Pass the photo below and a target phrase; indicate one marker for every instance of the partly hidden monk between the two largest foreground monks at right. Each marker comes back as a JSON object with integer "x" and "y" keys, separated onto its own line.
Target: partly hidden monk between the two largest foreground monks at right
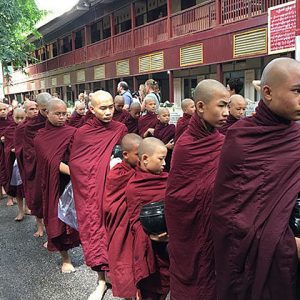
{"x": 237, "y": 108}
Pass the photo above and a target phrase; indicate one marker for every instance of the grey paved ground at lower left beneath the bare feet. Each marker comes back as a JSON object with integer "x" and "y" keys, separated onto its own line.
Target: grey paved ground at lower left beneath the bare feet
{"x": 29, "y": 272}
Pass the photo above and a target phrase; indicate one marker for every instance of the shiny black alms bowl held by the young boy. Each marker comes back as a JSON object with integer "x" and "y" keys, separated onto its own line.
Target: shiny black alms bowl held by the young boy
{"x": 152, "y": 218}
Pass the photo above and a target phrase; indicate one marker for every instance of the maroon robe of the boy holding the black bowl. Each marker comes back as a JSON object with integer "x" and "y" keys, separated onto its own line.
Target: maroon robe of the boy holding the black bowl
{"x": 151, "y": 261}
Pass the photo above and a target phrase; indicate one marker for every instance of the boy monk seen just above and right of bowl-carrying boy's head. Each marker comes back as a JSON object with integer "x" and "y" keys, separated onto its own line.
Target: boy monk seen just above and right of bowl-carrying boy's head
{"x": 165, "y": 132}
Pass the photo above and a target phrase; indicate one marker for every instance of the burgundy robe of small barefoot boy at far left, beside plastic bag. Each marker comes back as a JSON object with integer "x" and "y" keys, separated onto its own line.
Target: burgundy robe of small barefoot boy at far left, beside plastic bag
{"x": 10, "y": 157}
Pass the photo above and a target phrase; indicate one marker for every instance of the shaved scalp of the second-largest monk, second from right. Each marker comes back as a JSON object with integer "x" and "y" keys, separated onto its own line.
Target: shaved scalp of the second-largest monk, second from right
{"x": 207, "y": 89}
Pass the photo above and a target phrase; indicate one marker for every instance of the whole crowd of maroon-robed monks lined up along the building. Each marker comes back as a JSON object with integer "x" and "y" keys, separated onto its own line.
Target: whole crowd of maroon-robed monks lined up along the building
{"x": 228, "y": 184}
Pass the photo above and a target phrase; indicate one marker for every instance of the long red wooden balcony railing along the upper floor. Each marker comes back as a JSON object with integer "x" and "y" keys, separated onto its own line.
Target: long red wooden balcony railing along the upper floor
{"x": 195, "y": 19}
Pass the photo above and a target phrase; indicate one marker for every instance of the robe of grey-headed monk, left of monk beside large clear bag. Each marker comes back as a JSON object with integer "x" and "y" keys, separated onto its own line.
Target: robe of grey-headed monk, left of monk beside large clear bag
{"x": 32, "y": 176}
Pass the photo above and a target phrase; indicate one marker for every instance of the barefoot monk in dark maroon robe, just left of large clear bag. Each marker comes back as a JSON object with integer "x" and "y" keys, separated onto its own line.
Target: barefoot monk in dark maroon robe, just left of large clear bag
{"x": 51, "y": 146}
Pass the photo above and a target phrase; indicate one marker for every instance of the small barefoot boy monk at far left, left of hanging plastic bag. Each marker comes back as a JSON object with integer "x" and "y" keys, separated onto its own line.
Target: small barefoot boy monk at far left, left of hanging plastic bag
{"x": 13, "y": 190}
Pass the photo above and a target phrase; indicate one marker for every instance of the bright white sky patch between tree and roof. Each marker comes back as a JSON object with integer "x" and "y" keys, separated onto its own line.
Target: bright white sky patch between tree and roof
{"x": 55, "y": 8}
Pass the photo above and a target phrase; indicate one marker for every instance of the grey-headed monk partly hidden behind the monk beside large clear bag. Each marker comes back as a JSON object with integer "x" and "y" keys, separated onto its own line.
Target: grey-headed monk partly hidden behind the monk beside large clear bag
{"x": 32, "y": 179}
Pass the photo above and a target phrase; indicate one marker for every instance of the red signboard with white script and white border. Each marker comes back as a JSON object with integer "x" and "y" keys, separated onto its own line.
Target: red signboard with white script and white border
{"x": 282, "y": 27}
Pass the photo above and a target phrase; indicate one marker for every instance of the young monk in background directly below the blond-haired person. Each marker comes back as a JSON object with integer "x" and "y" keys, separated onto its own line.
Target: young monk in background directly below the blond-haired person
{"x": 149, "y": 120}
